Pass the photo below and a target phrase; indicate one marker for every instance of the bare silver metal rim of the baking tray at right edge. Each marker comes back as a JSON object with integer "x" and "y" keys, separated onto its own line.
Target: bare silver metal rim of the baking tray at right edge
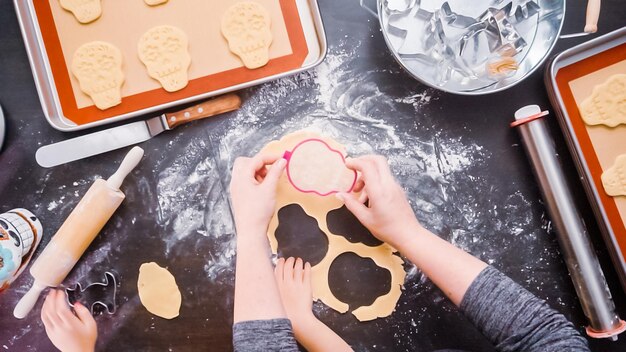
{"x": 564, "y": 59}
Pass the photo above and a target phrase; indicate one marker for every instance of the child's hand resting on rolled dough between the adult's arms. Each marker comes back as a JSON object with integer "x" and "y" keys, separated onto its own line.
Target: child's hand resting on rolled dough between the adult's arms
{"x": 294, "y": 283}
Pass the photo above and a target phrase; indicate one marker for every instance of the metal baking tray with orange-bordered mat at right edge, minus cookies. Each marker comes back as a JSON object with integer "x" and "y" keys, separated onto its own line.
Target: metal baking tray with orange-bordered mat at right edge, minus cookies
{"x": 568, "y": 77}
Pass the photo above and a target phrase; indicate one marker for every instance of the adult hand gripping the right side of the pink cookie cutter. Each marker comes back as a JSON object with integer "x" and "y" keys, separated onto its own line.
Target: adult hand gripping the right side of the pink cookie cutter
{"x": 389, "y": 215}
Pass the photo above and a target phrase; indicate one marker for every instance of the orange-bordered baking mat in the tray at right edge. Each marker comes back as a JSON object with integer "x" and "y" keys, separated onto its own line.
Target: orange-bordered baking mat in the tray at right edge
{"x": 599, "y": 144}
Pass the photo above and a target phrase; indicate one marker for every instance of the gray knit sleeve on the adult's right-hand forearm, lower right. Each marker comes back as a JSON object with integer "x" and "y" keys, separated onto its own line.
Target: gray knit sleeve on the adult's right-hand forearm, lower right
{"x": 513, "y": 319}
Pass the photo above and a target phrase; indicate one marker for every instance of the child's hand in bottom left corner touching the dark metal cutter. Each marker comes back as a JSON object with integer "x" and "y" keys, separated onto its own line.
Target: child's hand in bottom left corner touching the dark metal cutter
{"x": 69, "y": 331}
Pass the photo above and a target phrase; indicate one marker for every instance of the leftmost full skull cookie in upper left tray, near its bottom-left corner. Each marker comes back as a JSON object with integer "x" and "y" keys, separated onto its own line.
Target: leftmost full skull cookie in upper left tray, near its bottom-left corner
{"x": 98, "y": 68}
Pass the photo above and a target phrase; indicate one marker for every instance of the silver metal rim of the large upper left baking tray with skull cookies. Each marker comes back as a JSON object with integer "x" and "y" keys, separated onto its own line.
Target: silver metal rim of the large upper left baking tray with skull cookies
{"x": 50, "y": 98}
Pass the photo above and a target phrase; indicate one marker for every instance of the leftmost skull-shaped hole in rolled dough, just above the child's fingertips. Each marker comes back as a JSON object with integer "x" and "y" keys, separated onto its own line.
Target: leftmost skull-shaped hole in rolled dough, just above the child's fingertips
{"x": 299, "y": 236}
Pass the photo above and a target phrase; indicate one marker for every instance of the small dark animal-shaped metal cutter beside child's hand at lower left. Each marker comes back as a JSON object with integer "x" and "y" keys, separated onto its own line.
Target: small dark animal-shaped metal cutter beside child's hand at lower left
{"x": 96, "y": 296}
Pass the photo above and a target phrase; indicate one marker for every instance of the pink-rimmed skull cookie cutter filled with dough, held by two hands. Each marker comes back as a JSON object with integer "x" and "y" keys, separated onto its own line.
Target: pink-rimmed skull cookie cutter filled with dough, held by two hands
{"x": 313, "y": 166}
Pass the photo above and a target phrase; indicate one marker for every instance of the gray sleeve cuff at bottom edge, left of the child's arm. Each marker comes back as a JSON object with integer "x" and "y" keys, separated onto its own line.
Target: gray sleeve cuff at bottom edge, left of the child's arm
{"x": 264, "y": 335}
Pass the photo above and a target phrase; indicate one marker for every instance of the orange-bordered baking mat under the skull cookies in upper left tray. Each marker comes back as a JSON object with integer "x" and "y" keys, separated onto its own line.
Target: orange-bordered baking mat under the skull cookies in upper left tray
{"x": 123, "y": 22}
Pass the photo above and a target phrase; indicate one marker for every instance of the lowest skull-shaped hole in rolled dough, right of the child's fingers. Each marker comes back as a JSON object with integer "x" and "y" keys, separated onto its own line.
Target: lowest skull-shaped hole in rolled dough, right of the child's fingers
{"x": 357, "y": 281}
